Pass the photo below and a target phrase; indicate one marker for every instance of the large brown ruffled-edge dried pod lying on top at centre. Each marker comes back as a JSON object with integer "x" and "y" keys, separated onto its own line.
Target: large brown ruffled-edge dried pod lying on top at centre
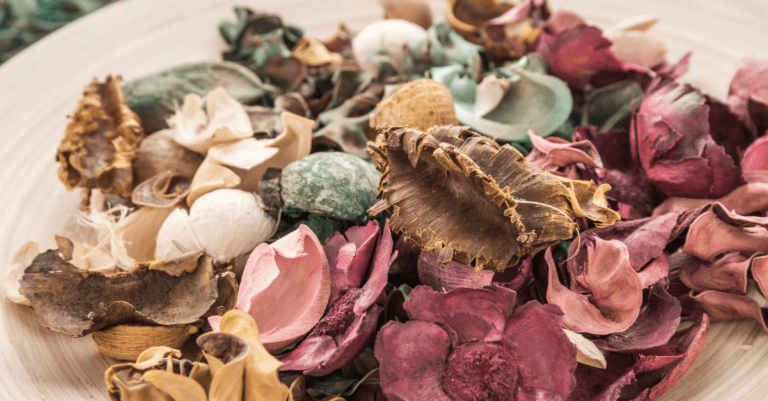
{"x": 470, "y": 199}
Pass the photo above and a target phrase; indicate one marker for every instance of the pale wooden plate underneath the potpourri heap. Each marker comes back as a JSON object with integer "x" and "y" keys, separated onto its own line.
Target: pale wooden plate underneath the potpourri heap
{"x": 40, "y": 87}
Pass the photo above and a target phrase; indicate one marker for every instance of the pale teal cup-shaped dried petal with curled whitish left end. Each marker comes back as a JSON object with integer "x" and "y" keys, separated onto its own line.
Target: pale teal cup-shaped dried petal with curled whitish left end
{"x": 533, "y": 100}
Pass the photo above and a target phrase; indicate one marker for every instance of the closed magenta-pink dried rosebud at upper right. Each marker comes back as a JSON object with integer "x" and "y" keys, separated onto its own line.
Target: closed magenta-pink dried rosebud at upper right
{"x": 671, "y": 138}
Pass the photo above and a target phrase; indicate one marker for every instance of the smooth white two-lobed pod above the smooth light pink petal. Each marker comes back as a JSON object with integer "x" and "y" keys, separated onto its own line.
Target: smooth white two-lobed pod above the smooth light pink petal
{"x": 226, "y": 223}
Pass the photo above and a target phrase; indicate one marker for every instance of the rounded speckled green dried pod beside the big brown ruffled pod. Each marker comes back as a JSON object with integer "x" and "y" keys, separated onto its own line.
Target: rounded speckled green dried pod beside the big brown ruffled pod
{"x": 330, "y": 183}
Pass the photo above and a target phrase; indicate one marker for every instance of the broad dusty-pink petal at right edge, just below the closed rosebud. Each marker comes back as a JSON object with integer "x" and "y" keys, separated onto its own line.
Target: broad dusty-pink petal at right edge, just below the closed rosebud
{"x": 710, "y": 236}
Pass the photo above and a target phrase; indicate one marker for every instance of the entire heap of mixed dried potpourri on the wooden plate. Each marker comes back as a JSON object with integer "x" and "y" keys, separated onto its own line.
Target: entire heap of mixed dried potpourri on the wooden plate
{"x": 509, "y": 205}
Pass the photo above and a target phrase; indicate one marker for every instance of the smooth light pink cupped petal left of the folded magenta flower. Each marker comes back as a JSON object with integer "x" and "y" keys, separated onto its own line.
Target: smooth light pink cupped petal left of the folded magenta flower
{"x": 285, "y": 288}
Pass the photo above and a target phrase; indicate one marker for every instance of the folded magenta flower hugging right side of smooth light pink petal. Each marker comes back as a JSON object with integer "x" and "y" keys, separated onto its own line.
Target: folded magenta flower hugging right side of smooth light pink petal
{"x": 360, "y": 261}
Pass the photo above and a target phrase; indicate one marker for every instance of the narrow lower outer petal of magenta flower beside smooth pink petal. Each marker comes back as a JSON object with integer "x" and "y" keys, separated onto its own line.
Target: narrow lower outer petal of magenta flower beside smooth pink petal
{"x": 355, "y": 339}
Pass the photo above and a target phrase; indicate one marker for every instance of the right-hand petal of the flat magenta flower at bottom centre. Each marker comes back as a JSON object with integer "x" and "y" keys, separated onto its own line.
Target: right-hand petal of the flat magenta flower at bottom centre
{"x": 546, "y": 357}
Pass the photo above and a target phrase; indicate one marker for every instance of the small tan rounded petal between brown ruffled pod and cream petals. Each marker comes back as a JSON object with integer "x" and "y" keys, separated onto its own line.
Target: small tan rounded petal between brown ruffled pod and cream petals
{"x": 158, "y": 153}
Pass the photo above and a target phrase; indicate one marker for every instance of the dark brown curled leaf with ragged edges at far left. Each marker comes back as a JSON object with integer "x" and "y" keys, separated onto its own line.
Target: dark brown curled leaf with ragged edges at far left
{"x": 69, "y": 300}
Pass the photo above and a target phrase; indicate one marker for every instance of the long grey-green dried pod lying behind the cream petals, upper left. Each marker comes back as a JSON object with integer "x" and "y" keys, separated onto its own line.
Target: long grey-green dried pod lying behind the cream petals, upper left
{"x": 155, "y": 97}
